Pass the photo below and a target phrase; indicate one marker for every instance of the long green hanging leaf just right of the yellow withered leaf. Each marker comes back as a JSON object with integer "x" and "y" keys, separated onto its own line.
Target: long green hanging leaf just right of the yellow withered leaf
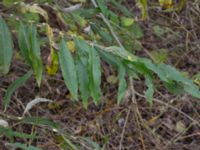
{"x": 68, "y": 69}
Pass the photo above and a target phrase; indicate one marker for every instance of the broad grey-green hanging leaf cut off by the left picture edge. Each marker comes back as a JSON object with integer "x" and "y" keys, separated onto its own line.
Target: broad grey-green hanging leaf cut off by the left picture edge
{"x": 6, "y": 48}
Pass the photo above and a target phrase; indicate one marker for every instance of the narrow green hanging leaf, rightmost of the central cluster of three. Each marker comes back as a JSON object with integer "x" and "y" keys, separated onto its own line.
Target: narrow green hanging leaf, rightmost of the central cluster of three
{"x": 94, "y": 75}
